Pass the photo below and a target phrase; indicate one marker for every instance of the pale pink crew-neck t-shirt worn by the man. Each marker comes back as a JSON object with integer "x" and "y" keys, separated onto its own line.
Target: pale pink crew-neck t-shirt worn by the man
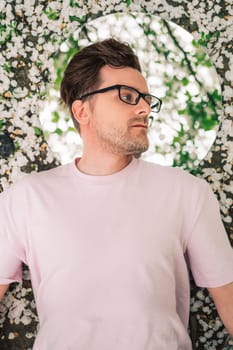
{"x": 108, "y": 255}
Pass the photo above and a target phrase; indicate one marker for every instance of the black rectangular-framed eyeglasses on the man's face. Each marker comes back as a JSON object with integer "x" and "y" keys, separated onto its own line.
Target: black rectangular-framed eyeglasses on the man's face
{"x": 129, "y": 95}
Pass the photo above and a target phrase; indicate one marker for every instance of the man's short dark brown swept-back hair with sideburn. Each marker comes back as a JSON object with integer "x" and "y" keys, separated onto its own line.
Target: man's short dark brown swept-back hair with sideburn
{"x": 82, "y": 72}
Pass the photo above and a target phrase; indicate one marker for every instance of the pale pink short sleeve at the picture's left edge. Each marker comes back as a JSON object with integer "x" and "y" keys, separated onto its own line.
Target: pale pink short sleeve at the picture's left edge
{"x": 11, "y": 248}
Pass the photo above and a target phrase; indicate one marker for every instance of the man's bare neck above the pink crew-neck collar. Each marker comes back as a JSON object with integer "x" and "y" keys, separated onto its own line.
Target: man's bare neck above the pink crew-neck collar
{"x": 104, "y": 165}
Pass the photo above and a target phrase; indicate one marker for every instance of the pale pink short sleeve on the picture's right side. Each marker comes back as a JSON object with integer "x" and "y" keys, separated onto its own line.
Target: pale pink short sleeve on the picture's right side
{"x": 209, "y": 252}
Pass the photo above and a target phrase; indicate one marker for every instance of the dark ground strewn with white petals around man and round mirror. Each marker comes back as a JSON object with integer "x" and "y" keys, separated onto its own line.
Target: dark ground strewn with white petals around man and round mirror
{"x": 31, "y": 33}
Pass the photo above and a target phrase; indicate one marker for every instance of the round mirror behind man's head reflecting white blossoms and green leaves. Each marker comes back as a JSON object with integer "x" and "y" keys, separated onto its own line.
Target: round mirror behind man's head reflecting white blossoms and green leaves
{"x": 178, "y": 71}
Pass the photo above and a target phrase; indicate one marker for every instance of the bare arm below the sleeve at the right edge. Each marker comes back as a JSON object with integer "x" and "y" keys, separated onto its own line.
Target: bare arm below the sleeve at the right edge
{"x": 223, "y": 299}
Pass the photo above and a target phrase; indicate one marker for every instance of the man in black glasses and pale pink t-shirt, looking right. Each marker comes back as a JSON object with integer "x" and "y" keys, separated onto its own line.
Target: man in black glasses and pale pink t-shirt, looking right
{"x": 109, "y": 238}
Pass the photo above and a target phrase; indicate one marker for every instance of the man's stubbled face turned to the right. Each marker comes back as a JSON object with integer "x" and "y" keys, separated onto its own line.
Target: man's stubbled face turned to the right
{"x": 118, "y": 127}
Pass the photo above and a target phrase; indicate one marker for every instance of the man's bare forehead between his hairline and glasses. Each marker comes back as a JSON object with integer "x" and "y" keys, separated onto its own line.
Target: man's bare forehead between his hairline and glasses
{"x": 125, "y": 76}
